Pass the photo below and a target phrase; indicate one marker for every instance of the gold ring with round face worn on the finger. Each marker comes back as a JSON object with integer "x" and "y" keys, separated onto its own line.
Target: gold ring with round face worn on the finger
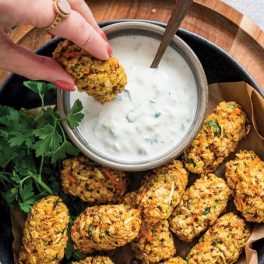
{"x": 62, "y": 9}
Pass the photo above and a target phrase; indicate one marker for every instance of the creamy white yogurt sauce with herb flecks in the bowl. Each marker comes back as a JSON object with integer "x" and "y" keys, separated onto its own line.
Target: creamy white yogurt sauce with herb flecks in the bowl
{"x": 152, "y": 115}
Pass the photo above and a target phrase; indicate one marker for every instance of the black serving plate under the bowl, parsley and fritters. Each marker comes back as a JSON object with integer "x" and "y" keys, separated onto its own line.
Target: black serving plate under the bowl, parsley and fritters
{"x": 218, "y": 66}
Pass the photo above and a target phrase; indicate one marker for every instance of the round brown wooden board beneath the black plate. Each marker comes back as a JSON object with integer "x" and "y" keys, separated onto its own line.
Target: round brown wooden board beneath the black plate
{"x": 211, "y": 19}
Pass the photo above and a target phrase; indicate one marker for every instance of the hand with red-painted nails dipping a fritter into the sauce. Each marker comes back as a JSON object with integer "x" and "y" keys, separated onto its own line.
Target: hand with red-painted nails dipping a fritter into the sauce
{"x": 79, "y": 27}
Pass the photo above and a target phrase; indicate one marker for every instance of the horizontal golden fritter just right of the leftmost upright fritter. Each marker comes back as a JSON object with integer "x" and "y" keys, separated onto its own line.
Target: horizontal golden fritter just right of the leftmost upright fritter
{"x": 105, "y": 227}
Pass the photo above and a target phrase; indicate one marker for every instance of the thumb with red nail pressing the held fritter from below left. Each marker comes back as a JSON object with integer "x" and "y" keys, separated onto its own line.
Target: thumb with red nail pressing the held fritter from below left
{"x": 35, "y": 67}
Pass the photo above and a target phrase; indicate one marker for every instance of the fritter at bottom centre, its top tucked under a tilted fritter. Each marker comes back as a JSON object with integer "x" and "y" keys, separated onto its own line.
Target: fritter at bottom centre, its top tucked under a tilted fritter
{"x": 154, "y": 243}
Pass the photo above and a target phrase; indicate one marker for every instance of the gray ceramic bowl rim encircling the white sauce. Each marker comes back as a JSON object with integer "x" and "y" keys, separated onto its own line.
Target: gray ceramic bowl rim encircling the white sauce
{"x": 146, "y": 29}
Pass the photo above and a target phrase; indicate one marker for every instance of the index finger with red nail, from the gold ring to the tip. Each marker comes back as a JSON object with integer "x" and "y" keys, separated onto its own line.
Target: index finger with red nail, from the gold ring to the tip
{"x": 76, "y": 29}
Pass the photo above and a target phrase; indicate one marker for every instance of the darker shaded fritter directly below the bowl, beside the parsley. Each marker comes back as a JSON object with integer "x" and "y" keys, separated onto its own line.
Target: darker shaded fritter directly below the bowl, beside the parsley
{"x": 92, "y": 184}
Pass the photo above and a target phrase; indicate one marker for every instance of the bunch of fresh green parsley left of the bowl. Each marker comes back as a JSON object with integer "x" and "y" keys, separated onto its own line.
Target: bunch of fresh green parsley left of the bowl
{"x": 31, "y": 146}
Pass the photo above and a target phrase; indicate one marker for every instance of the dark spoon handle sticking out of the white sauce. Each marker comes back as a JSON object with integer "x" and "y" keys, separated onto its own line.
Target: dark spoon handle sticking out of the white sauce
{"x": 179, "y": 11}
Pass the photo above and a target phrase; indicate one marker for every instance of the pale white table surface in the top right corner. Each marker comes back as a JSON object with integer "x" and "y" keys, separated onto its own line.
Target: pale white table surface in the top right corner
{"x": 254, "y": 9}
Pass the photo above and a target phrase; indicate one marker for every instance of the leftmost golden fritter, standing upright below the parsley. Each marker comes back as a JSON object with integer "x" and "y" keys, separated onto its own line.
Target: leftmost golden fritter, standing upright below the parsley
{"x": 45, "y": 232}
